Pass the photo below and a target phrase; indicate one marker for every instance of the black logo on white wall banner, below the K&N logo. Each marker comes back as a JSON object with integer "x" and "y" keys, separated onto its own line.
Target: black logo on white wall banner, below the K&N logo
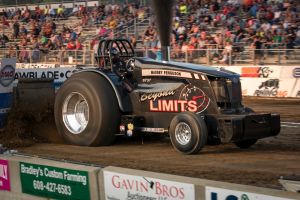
{"x": 270, "y": 88}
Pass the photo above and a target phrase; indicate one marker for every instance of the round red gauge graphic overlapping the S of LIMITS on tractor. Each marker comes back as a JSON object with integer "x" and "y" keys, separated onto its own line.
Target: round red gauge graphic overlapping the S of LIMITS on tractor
{"x": 197, "y": 100}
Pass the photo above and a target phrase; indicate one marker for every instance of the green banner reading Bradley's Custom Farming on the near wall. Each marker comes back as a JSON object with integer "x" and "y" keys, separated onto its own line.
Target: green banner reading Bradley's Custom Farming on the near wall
{"x": 54, "y": 182}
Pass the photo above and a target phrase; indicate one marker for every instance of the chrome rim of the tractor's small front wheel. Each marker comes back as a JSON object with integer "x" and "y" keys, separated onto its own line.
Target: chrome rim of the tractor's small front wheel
{"x": 183, "y": 133}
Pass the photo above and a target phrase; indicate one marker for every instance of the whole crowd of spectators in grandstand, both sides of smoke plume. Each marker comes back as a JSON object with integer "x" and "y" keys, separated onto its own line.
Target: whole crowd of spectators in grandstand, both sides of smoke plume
{"x": 226, "y": 26}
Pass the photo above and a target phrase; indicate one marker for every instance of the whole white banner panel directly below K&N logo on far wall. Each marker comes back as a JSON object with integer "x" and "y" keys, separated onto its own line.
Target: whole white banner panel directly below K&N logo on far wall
{"x": 268, "y": 87}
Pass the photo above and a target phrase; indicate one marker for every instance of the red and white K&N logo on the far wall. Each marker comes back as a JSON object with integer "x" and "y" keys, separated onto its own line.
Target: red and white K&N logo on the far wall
{"x": 263, "y": 72}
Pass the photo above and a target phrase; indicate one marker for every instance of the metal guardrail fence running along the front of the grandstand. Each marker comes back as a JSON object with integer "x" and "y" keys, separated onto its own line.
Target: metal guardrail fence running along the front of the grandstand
{"x": 207, "y": 56}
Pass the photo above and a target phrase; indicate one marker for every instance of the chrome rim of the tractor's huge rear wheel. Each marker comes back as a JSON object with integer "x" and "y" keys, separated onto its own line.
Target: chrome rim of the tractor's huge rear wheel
{"x": 75, "y": 113}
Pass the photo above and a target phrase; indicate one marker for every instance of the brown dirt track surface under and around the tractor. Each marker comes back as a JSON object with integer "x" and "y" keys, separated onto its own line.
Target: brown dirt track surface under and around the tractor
{"x": 260, "y": 165}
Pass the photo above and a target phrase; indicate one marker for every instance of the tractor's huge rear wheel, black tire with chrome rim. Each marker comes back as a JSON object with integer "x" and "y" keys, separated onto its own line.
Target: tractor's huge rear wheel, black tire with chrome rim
{"x": 87, "y": 111}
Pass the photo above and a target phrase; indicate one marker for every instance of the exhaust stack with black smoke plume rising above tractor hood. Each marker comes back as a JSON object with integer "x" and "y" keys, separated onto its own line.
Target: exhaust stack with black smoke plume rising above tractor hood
{"x": 164, "y": 15}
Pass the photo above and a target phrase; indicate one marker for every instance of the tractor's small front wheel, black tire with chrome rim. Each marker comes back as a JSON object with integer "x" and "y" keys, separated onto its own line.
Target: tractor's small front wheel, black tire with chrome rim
{"x": 188, "y": 133}
